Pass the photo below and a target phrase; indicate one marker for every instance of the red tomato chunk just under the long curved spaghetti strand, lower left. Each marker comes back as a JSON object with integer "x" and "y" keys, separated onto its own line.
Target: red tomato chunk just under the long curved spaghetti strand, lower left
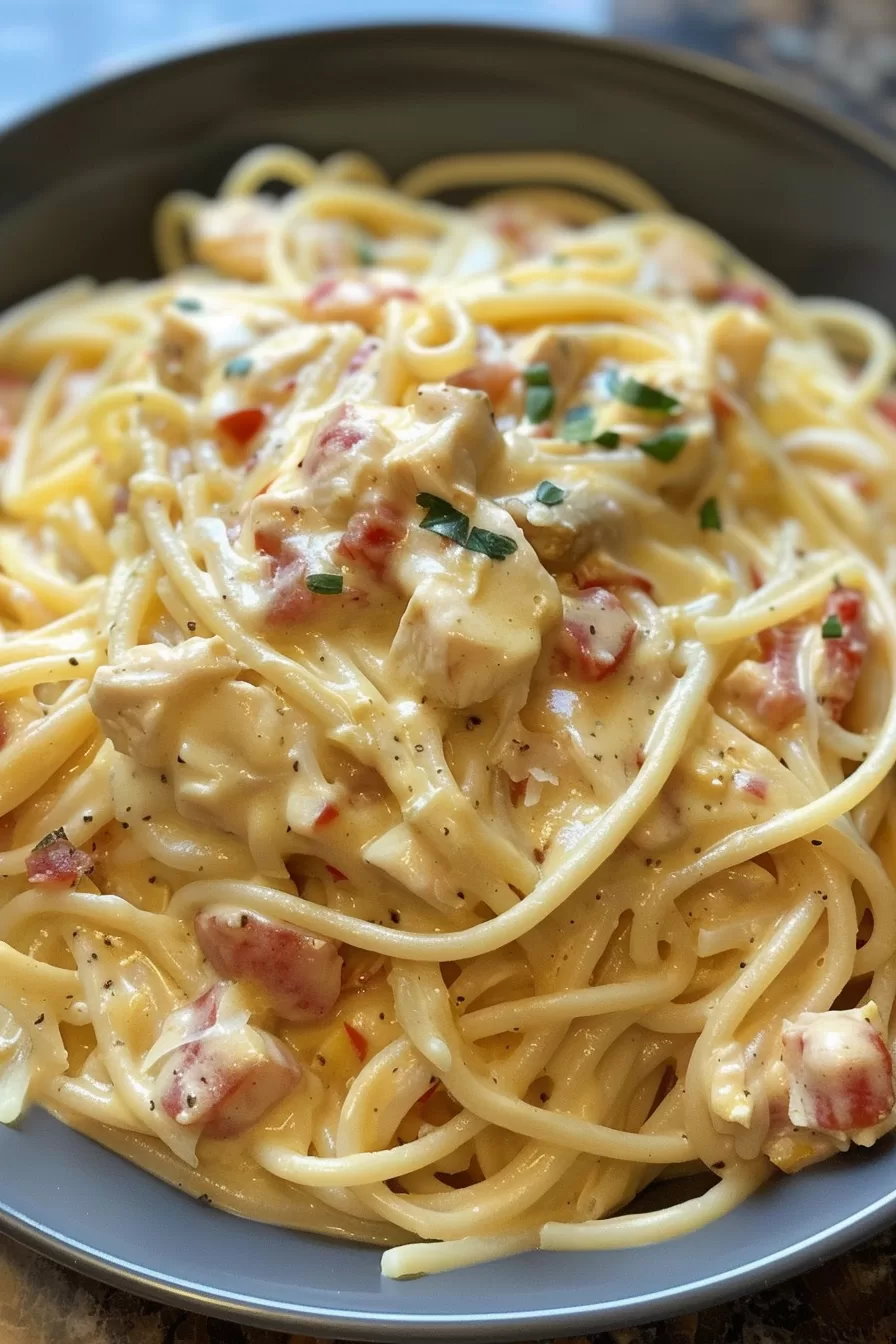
{"x": 300, "y": 972}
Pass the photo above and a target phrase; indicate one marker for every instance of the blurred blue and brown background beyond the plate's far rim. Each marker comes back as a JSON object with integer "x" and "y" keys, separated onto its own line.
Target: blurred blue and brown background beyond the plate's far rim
{"x": 840, "y": 53}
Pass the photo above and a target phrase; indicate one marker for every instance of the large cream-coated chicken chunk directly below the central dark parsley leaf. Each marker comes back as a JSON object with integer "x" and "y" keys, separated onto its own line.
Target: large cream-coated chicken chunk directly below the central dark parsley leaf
{"x": 474, "y": 626}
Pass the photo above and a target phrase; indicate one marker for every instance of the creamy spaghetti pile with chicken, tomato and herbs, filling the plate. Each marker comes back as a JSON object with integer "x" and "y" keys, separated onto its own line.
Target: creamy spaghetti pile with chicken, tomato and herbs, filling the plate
{"x": 448, "y": 713}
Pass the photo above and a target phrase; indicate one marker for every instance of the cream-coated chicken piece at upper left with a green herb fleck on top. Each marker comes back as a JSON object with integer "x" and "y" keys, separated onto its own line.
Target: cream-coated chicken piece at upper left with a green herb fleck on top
{"x": 199, "y": 334}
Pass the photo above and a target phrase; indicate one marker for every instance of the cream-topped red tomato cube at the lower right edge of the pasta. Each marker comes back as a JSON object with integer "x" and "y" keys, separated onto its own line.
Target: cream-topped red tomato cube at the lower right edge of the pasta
{"x": 842, "y": 1072}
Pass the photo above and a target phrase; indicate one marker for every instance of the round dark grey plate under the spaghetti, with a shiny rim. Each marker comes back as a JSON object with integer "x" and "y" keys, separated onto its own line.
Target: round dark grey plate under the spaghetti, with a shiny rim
{"x": 808, "y": 198}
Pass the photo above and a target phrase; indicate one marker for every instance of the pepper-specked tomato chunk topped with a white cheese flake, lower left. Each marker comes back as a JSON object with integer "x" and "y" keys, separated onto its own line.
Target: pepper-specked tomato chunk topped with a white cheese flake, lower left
{"x": 228, "y": 1075}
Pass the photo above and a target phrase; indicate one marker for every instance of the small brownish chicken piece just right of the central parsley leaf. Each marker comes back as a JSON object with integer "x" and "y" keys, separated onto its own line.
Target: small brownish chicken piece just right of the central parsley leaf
{"x": 562, "y": 534}
